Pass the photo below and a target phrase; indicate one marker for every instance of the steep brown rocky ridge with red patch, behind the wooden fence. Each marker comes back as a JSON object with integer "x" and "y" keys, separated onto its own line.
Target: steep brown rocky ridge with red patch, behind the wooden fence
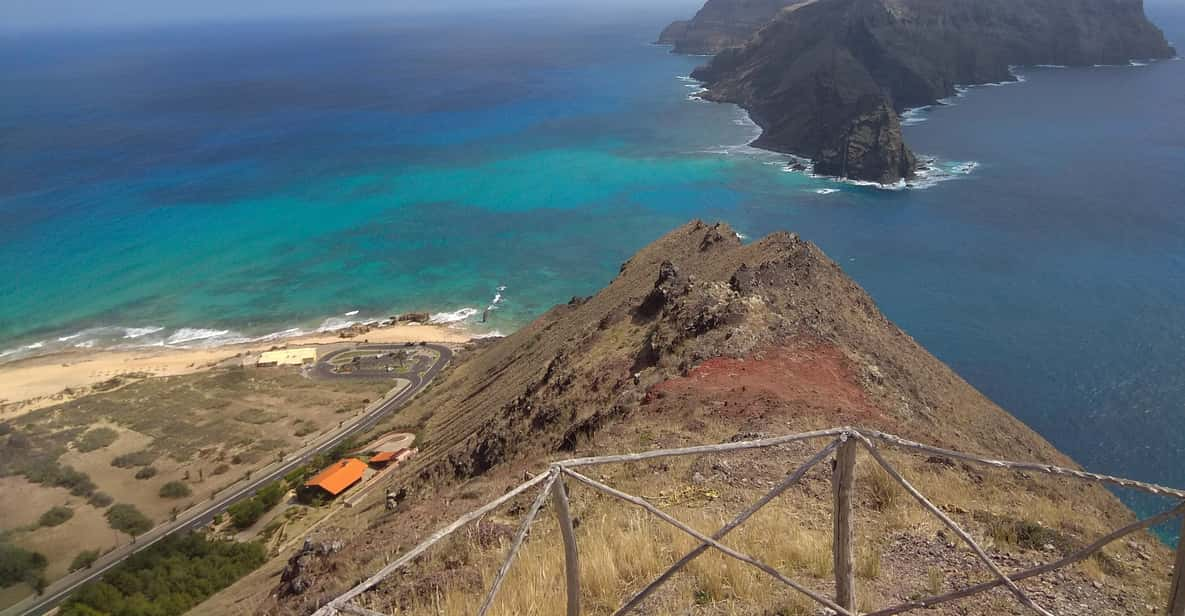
{"x": 701, "y": 339}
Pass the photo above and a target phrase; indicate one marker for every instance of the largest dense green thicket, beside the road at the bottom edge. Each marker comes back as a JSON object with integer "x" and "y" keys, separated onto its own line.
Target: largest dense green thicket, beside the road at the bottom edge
{"x": 169, "y": 579}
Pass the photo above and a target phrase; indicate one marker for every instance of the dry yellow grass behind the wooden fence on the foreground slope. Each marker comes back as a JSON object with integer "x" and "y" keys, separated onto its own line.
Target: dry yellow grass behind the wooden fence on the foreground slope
{"x": 623, "y": 548}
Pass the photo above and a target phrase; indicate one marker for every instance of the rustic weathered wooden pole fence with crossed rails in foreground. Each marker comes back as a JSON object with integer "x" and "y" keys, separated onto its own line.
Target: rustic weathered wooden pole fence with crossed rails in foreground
{"x": 844, "y": 444}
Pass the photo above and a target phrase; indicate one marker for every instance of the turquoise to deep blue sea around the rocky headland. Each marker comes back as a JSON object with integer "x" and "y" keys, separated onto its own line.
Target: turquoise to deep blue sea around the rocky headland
{"x": 203, "y": 184}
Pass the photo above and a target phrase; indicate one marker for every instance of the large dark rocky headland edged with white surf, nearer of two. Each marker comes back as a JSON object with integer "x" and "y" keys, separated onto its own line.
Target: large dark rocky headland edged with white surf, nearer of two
{"x": 828, "y": 80}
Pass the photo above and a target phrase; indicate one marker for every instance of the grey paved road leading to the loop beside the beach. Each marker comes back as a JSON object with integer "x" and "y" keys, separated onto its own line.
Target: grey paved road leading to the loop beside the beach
{"x": 203, "y": 515}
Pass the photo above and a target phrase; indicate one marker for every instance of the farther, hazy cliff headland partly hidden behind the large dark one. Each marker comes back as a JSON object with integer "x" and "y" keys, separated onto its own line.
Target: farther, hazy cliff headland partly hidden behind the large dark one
{"x": 722, "y": 24}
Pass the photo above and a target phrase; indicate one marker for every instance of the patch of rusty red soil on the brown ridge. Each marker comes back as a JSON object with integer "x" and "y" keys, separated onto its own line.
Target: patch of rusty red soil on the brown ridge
{"x": 808, "y": 378}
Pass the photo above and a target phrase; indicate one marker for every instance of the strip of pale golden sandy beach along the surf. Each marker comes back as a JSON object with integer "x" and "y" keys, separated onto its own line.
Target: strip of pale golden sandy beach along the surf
{"x": 36, "y": 383}
